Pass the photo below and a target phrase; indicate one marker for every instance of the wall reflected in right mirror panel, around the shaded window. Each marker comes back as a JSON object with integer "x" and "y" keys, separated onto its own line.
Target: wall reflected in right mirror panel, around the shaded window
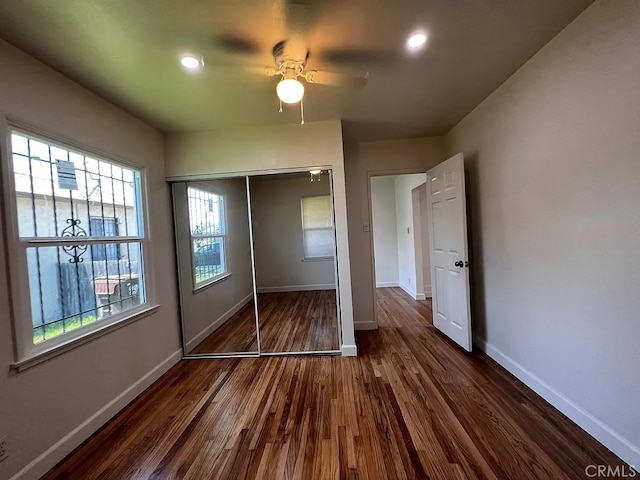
{"x": 277, "y": 234}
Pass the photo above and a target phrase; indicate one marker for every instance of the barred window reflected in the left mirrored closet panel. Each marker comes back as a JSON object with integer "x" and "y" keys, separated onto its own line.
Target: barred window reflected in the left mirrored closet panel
{"x": 208, "y": 234}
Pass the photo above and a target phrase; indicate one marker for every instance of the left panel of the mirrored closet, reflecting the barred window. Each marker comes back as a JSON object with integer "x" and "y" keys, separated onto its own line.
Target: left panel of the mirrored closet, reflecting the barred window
{"x": 214, "y": 259}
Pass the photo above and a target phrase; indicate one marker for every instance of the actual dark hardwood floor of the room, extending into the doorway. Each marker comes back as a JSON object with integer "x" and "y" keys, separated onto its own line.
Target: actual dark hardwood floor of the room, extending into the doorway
{"x": 411, "y": 405}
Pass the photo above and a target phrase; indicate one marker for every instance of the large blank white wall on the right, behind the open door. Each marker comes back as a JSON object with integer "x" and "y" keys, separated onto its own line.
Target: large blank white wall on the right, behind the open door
{"x": 553, "y": 159}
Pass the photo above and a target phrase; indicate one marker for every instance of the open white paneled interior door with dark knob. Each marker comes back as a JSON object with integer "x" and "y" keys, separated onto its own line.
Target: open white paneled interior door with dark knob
{"x": 447, "y": 219}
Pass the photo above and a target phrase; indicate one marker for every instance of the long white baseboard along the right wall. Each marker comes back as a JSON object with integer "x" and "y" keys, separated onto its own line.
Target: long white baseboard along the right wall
{"x": 599, "y": 430}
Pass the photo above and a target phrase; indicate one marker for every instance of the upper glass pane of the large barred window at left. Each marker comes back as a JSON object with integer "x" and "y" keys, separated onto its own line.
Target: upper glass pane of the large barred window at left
{"x": 53, "y": 185}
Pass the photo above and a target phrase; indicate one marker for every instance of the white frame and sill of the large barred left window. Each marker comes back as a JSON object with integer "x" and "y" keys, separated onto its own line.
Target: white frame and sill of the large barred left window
{"x": 27, "y": 353}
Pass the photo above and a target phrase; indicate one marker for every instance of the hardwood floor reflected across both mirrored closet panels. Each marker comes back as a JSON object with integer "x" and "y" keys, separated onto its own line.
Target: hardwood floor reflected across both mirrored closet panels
{"x": 289, "y": 322}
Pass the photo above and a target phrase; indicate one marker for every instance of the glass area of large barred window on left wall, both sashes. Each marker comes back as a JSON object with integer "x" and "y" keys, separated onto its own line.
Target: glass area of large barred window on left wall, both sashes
{"x": 79, "y": 240}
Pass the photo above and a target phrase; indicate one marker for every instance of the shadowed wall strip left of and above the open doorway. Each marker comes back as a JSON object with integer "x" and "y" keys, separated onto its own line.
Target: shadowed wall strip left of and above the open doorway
{"x": 362, "y": 161}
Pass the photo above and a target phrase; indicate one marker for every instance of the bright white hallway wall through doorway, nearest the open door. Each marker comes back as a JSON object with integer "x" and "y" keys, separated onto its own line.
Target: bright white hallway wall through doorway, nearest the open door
{"x": 407, "y": 267}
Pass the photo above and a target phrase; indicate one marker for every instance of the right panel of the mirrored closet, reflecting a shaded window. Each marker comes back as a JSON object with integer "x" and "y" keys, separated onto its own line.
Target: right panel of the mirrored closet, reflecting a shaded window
{"x": 294, "y": 243}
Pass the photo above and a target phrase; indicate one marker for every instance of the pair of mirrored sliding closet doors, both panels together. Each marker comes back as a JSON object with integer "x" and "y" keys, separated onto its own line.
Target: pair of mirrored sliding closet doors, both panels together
{"x": 257, "y": 265}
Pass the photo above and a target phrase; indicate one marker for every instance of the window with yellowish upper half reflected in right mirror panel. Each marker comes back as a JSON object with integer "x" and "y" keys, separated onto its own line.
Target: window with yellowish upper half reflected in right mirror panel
{"x": 317, "y": 228}
